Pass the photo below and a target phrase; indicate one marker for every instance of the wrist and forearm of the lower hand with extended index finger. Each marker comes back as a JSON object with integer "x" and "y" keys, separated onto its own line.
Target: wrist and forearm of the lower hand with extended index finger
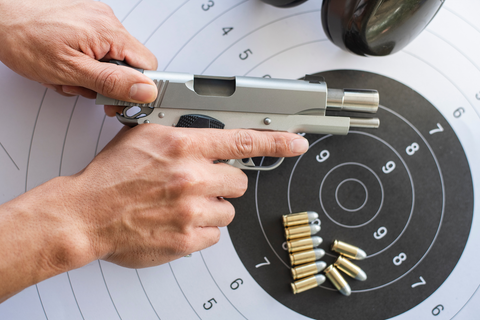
{"x": 40, "y": 237}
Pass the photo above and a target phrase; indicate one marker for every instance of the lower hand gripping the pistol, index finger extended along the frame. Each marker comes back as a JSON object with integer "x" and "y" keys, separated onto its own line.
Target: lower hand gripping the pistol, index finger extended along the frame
{"x": 154, "y": 194}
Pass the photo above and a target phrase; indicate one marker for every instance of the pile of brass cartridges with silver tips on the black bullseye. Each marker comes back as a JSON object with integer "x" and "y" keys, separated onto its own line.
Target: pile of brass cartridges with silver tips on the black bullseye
{"x": 305, "y": 256}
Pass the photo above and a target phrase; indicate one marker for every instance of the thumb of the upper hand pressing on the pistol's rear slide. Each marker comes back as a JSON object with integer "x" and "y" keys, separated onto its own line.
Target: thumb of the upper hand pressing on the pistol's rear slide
{"x": 117, "y": 82}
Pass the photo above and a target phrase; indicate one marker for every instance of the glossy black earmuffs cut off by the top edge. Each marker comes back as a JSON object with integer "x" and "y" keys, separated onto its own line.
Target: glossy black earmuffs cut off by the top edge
{"x": 372, "y": 27}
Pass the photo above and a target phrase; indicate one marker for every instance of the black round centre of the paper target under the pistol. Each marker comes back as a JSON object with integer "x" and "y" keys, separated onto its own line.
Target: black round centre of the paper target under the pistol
{"x": 398, "y": 192}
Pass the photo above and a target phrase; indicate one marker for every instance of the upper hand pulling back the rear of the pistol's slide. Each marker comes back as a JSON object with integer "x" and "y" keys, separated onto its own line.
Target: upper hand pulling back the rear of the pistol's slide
{"x": 59, "y": 42}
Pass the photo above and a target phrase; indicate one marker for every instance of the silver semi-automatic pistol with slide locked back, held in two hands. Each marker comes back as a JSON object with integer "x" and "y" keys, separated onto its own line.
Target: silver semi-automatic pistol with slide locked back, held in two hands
{"x": 186, "y": 100}
